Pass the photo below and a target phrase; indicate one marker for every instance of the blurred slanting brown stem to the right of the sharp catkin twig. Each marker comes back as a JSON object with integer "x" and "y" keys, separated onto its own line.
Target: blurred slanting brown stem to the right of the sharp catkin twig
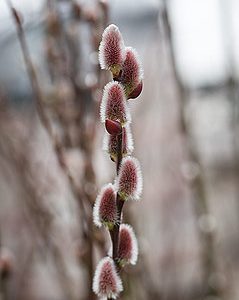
{"x": 197, "y": 184}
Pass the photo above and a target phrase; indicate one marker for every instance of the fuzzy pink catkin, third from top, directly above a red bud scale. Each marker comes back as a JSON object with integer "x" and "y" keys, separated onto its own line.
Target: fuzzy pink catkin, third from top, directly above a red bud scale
{"x": 113, "y": 105}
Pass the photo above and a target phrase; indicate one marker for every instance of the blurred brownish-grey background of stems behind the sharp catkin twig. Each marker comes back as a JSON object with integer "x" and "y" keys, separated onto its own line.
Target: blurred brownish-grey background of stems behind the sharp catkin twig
{"x": 185, "y": 128}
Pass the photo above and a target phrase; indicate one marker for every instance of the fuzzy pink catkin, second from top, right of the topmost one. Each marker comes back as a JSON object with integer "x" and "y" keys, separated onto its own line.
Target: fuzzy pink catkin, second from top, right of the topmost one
{"x": 132, "y": 73}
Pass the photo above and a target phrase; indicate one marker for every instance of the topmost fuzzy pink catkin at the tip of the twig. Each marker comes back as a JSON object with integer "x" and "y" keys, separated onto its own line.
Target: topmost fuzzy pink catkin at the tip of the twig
{"x": 112, "y": 50}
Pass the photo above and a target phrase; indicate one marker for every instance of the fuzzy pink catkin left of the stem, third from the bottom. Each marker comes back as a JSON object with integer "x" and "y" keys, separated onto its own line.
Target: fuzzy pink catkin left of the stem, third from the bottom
{"x": 104, "y": 210}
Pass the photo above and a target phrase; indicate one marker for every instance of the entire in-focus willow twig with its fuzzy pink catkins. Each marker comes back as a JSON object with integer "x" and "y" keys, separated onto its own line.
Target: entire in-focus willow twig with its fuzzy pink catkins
{"x": 123, "y": 62}
